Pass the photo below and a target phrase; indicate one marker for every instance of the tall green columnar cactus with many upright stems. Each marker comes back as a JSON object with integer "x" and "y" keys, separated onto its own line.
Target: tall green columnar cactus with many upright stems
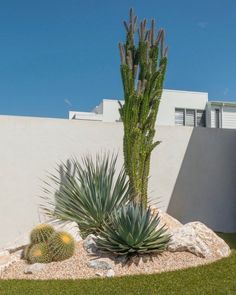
{"x": 143, "y": 68}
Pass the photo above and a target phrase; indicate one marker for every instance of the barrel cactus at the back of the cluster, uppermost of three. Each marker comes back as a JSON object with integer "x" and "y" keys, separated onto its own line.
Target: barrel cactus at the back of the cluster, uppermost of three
{"x": 41, "y": 233}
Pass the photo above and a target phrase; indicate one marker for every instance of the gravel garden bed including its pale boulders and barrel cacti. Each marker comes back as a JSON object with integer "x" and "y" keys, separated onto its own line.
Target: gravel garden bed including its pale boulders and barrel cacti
{"x": 192, "y": 244}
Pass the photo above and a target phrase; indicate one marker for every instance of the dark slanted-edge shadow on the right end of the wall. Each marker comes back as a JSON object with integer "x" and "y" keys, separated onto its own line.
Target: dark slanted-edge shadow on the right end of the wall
{"x": 205, "y": 188}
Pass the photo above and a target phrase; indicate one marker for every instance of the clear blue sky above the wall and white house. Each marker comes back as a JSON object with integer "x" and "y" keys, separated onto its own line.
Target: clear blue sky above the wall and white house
{"x": 61, "y": 55}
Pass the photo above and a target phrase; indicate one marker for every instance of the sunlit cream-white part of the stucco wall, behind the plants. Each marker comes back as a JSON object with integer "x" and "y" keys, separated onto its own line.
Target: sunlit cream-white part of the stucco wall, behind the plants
{"x": 31, "y": 147}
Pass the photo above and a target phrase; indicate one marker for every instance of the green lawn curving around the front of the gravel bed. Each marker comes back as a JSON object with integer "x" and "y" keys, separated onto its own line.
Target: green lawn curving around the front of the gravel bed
{"x": 217, "y": 278}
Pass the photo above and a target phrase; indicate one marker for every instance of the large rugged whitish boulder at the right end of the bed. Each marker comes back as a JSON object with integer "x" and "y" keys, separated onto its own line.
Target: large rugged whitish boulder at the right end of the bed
{"x": 197, "y": 238}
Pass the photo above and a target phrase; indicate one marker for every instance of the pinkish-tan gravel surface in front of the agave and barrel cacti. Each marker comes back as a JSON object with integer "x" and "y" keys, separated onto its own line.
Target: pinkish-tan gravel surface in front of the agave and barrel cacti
{"x": 78, "y": 267}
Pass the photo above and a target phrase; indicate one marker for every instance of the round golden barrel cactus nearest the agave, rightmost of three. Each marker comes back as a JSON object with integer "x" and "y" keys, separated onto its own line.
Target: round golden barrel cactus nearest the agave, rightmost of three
{"x": 61, "y": 245}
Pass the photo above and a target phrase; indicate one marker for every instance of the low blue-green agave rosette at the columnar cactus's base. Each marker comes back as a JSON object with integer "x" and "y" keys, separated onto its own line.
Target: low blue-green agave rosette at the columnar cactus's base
{"x": 132, "y": 230}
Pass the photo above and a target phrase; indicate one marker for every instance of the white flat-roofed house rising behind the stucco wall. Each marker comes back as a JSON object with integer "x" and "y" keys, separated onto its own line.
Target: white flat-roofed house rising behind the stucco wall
{"x": 183, "y": 108}
